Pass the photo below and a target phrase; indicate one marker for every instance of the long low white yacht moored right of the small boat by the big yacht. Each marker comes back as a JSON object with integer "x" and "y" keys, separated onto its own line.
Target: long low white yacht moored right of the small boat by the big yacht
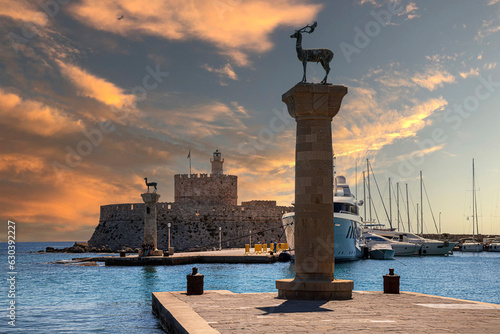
{"x": 428, "y": 246}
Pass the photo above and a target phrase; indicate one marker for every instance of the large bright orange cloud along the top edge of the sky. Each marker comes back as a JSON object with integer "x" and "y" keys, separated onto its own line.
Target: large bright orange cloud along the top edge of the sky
{"x": 235, "y": 28}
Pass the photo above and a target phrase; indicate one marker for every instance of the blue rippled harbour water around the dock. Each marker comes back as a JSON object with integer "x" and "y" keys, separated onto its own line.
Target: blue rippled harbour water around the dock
{"x": 68, "y": 299}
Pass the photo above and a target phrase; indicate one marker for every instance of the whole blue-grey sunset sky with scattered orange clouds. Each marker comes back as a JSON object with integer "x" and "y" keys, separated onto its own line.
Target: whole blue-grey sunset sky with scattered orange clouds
{"x": 90, "y": 105}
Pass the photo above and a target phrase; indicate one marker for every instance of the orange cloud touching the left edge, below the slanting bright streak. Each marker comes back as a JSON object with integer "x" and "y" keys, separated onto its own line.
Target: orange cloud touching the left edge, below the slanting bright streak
{"x": 35, "y": 117}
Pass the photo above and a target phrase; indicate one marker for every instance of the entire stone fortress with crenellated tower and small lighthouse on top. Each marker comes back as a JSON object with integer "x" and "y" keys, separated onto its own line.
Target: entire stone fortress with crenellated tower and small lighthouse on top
{"x": 202, "y": 204}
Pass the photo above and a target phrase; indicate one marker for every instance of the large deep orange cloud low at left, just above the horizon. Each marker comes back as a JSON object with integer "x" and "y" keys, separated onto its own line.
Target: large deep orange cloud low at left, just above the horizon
{"x": 65, "y": 206}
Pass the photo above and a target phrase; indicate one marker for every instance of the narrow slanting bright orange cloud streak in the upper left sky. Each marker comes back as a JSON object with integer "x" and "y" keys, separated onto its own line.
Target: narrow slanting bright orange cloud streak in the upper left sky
{"x": 97, "y": 88}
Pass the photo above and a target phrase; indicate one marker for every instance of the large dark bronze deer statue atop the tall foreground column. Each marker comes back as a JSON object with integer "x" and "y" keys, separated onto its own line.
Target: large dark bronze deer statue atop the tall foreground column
{"x": 323, "y": 56}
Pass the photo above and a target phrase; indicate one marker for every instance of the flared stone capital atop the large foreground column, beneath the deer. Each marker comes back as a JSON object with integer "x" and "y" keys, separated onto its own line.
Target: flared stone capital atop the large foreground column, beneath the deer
{"x": 314, "y": 100}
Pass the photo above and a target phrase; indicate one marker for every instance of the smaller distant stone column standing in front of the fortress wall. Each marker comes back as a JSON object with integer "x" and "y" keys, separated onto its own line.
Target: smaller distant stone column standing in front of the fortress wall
{"x": 150, "y": 226}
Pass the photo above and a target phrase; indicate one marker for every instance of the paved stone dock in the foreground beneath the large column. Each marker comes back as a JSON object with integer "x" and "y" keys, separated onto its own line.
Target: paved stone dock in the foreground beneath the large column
{"x": 369, "y": 312}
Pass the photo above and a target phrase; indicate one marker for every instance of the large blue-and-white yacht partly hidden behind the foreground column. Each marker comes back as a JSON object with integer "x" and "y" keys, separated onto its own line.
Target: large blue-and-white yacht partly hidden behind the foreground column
{"x": 346, "y": 220}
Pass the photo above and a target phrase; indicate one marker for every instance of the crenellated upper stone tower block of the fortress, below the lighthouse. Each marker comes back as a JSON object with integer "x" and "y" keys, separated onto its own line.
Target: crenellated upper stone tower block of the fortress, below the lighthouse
{"x": 204, "y": 189}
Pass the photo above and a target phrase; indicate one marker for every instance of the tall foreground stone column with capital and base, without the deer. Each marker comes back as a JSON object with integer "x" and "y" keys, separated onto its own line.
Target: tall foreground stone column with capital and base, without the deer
{"x": 313, "y": 106}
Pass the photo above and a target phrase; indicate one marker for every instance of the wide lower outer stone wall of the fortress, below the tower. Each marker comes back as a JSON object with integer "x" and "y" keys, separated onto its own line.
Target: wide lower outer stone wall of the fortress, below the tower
{"x": 193, "y": 227}
